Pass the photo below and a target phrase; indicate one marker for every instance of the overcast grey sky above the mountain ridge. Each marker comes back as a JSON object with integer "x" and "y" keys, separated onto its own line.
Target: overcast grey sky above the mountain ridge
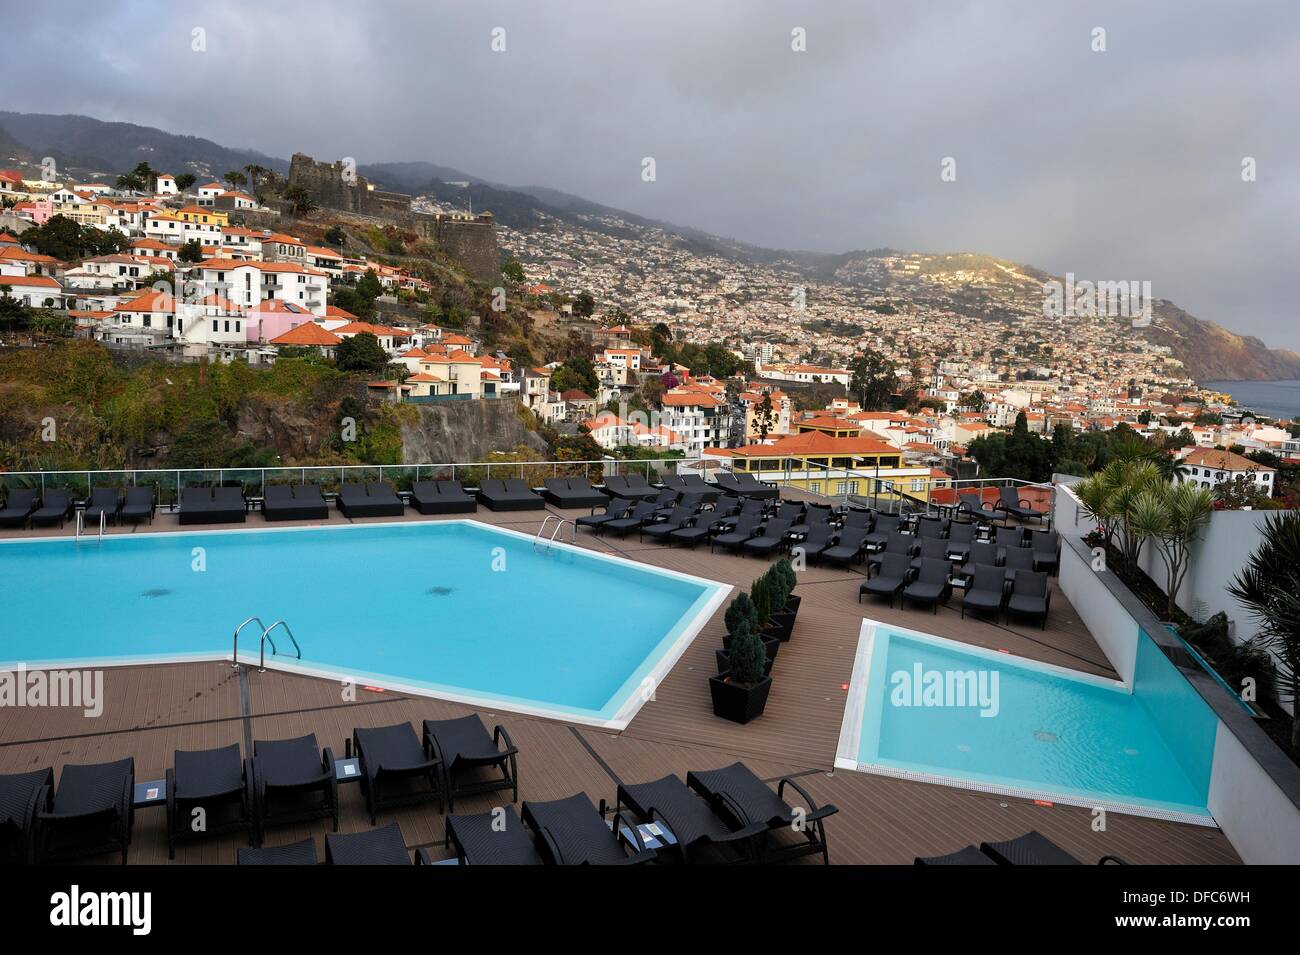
{"x": 1124, "y": 164}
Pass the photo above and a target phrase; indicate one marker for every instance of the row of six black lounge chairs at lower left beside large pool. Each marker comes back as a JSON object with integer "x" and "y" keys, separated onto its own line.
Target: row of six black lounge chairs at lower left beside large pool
{"x": 285, "y": 782}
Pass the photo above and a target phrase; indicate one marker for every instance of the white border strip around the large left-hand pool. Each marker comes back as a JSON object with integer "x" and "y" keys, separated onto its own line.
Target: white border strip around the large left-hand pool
{"x": 623, "y": 717}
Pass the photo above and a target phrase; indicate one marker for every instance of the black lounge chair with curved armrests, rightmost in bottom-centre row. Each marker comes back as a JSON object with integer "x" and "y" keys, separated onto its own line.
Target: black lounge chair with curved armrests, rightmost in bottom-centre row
{"x": 735, "y": 792}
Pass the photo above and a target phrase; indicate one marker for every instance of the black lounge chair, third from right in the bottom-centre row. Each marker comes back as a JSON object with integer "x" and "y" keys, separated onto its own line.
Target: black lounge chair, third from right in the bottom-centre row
{"x": 573, "y": 832}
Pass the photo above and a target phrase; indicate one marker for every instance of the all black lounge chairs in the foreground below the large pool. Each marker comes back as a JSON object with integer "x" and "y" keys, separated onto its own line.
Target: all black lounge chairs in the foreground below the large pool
{"x": 292, "y": 782}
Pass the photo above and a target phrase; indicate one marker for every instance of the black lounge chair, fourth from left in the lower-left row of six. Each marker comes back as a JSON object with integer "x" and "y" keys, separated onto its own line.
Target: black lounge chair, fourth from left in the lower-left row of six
{"x": 293, "y": 782}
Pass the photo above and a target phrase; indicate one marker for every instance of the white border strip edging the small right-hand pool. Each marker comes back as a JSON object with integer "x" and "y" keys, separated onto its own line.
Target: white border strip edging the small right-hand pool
{"x": 855, "y": 715}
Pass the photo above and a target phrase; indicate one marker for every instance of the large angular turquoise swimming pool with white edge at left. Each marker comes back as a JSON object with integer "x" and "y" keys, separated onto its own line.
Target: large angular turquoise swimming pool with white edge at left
{"x": 454, "y": 610}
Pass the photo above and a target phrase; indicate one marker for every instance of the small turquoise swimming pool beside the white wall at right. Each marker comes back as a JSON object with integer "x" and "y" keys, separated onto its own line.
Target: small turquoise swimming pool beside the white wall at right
{"x": 934, "y": 710}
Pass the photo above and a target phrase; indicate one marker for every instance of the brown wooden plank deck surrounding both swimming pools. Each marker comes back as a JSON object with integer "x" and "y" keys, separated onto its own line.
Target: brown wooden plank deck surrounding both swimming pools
{"x": 153, "y": 711}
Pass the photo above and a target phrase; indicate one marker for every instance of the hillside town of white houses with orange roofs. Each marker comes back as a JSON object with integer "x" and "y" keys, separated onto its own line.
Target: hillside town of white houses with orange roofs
{"x": 791, "y": 403}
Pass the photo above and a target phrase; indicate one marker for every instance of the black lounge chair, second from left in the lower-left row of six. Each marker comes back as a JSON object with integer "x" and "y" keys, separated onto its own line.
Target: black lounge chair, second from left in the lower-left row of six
{"x": 90, "y": 813}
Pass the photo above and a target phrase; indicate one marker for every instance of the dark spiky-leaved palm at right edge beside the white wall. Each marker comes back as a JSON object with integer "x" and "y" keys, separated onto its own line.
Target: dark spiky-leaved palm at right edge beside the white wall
{"x": 1269, "y": 588}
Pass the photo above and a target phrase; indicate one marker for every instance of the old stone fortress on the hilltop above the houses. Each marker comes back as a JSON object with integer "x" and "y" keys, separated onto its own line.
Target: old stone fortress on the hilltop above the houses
{"x": 470, "y": 241}
